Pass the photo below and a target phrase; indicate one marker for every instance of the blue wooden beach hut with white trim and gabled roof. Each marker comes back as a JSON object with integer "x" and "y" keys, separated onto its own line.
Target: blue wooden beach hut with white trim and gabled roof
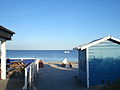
{"x": 99, "y": 61}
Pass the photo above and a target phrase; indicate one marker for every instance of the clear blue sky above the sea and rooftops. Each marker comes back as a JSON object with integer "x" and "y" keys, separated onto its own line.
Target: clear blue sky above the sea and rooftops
{"x": 59, "y": 24}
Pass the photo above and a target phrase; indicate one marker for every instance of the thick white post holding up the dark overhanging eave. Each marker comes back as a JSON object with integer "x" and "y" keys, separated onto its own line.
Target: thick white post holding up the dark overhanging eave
{"x": 3, "y": 59}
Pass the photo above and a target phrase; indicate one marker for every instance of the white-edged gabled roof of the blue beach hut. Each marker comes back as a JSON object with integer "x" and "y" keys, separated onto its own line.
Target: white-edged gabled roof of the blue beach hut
{"x": 94, "y": 42}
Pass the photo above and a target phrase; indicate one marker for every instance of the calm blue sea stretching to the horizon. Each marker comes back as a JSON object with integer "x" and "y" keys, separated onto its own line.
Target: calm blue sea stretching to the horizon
{"x": 45, "y": 55}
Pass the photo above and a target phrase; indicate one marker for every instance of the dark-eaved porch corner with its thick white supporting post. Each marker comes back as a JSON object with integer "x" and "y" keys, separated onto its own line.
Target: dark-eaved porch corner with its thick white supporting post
{"x": 5, "y": 34}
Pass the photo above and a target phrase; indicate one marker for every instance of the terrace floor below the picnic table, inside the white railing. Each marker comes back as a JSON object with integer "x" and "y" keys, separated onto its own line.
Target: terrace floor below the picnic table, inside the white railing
{"x": 15, "y": 82}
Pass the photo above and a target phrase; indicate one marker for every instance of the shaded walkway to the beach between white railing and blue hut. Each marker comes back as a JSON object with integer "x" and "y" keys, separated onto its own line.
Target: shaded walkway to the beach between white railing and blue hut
{"x": 54, "y": 77}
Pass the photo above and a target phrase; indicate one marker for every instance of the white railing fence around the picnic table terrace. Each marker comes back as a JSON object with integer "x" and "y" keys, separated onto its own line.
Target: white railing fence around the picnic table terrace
{"x": 30, "y": 71}
